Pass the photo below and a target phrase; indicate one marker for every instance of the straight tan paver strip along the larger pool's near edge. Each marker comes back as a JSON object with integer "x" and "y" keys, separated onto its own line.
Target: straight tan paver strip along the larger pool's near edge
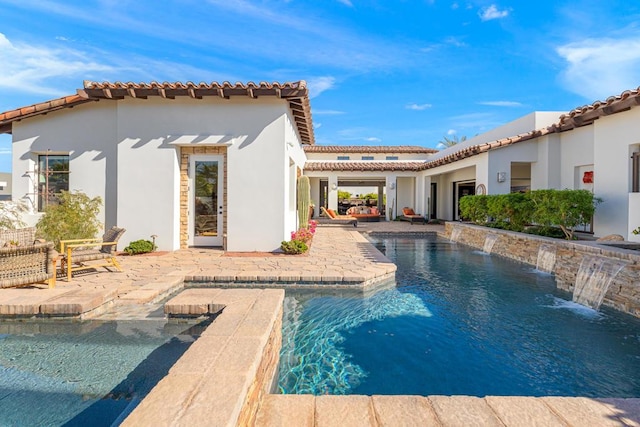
{"x": 446, "y": 411}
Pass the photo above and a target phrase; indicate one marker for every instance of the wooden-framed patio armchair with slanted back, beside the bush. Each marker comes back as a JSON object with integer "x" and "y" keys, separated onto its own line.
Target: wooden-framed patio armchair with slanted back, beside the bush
{"x": 75, "y": 253}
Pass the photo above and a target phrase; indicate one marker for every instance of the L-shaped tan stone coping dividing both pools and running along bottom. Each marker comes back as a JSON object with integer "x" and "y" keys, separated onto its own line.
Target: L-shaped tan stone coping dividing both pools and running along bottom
{"x": 226, "y": 376}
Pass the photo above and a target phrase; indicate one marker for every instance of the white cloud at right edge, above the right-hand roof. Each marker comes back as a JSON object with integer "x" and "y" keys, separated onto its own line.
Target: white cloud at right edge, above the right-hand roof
{"x": 599, "y": 68}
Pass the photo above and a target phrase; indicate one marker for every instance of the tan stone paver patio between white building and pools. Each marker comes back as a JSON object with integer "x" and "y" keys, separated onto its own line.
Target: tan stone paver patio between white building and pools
{"x": 339, "y": 256}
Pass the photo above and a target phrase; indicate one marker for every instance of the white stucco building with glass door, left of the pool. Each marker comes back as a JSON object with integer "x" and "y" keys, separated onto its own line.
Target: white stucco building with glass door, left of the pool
{"x": 209, "y": 164}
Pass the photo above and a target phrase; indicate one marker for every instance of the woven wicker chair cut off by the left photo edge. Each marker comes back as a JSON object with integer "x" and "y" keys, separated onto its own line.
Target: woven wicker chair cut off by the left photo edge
{"x": 24, "y": 261}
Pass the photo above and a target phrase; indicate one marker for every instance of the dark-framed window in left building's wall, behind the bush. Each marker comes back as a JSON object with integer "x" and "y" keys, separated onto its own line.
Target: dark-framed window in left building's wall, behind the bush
{"x": 53, "y": 178}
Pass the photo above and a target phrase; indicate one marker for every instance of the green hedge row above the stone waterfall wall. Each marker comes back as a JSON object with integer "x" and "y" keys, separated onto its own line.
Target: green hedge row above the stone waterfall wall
{"x": 565, "y": 209}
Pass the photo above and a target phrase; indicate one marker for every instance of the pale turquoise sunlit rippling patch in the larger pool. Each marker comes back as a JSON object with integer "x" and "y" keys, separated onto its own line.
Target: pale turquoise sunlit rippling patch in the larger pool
{"x": 312, "y": 360}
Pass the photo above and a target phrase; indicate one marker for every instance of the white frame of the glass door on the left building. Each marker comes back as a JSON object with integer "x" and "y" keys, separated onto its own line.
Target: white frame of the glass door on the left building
{"x": 218, "y": 239}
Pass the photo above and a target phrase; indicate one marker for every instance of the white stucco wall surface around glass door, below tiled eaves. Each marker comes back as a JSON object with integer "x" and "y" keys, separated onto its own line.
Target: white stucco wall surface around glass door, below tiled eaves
{"x": 123, "y": 152}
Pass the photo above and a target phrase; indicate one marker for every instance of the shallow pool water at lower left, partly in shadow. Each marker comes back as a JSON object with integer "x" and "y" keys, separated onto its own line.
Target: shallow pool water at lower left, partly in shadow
{"x": 83, "y": 373}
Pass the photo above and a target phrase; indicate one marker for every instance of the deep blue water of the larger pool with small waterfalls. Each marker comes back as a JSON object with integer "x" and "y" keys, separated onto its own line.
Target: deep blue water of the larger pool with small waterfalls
{"x": 458, "y": 322}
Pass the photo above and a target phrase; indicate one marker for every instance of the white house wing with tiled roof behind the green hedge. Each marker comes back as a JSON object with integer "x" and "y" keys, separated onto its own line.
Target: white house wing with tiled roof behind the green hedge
{"x": 594, "y": 147}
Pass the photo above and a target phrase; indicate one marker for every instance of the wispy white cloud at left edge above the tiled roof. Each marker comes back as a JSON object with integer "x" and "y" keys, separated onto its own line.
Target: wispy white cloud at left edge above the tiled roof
{"x": 28, "y": 68}
